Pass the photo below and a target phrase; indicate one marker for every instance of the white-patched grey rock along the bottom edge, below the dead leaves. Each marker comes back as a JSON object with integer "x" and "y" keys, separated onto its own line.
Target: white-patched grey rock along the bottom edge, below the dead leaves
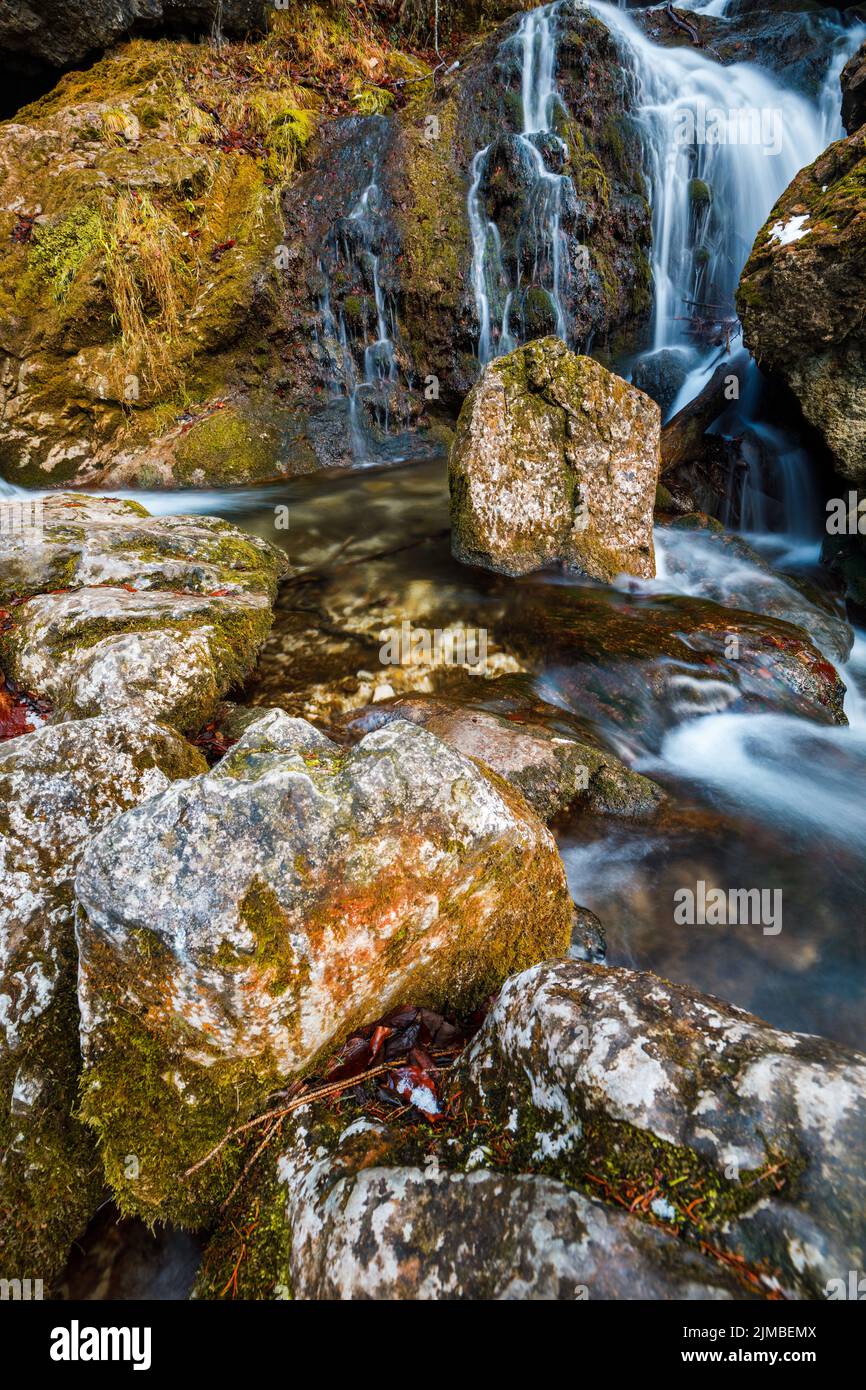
{"x": 343, "y": 1223}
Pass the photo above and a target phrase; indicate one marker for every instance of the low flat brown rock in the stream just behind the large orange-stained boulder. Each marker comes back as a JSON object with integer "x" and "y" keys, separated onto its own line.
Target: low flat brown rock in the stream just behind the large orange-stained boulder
{"x": 551, "y": 771}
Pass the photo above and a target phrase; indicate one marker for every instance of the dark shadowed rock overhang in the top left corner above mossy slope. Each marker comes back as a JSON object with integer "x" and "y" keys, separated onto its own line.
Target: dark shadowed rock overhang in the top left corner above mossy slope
{"x": 58, "y": 34}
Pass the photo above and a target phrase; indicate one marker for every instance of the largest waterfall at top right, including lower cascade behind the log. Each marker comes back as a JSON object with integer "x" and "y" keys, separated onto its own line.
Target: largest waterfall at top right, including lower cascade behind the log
{"x": 721, "y": 145}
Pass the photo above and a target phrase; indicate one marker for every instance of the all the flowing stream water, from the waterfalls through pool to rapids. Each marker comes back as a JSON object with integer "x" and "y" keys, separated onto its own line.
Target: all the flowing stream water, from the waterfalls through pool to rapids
{"x": 758, "y": 794}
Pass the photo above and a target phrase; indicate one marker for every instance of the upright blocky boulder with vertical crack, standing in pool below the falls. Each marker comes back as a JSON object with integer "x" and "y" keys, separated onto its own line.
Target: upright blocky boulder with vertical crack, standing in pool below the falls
{"x": 555, "y": 459}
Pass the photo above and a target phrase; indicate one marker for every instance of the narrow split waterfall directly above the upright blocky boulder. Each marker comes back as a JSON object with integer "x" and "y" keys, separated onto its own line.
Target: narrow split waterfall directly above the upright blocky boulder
{"x": 501, "y": 291}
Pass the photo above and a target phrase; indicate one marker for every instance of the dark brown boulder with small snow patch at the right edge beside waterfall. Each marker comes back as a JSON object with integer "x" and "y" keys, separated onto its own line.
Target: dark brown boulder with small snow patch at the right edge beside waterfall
{"x": 808, "y": 266}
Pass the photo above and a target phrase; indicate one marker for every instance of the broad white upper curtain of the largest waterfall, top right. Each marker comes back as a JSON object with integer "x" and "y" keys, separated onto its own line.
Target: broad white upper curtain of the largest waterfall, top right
{"x": 735, "y": 130}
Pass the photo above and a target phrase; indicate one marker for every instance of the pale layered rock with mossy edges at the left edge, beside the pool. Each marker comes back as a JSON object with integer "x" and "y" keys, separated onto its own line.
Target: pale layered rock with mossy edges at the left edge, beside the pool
{"x": 162, "y": 615}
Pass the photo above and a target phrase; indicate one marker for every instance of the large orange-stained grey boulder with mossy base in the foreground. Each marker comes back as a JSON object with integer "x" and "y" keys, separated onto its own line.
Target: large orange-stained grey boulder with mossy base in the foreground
{"x": 236, "y": 929}
